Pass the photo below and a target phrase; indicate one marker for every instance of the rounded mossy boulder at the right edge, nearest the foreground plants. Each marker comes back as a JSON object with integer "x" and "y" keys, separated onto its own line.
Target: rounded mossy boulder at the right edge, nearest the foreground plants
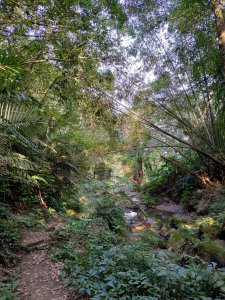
{"x": 212, "y": 251}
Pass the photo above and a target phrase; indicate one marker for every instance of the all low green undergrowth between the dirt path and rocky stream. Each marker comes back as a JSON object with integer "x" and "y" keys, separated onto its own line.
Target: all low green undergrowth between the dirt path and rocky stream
{"x": 102, "y": 262}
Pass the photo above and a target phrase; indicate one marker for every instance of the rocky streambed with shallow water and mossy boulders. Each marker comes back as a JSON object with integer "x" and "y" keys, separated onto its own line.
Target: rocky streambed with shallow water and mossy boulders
{"x": 179, "y": 230}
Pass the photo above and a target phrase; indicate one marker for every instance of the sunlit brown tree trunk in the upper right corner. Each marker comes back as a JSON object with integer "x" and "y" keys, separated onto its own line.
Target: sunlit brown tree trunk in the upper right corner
{"x": 220, "y": 28}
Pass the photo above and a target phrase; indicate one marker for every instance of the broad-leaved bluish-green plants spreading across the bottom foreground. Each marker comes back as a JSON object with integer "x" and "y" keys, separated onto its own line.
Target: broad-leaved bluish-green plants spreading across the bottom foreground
{"x": 132, "y": 272}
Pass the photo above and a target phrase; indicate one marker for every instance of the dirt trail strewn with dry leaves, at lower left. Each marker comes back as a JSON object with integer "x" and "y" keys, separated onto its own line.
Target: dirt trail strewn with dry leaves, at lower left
{"x": 39, "y": 276}
